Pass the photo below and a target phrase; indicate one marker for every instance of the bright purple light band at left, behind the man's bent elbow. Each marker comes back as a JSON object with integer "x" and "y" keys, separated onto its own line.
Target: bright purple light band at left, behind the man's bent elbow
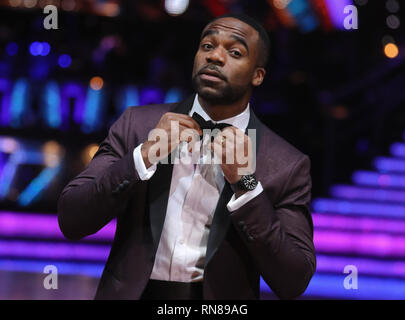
{"x": 43, "y": 226}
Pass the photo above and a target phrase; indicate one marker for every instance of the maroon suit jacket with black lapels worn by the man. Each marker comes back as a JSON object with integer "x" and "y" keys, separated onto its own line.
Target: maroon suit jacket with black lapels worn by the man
{"x": 270, "y": 236}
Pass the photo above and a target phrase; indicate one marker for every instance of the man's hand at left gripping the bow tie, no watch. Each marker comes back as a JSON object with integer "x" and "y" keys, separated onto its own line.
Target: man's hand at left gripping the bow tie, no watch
{"x": 172, "y": 129}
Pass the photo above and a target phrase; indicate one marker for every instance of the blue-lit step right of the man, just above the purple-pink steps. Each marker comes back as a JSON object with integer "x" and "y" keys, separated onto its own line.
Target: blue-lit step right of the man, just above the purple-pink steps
{"x": 359, "y": 208}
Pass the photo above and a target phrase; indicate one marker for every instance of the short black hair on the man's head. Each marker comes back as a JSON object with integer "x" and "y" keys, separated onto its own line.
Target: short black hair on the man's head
{"x": 264, "y": 49}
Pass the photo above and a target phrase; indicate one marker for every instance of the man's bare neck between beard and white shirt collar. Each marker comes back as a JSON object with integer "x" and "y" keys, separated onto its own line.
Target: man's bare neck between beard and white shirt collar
{"x": 218, "y": 112}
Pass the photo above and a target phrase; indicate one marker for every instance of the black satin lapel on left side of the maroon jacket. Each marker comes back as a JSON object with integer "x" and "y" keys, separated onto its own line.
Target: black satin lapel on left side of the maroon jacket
{"x": 159, "y": 184}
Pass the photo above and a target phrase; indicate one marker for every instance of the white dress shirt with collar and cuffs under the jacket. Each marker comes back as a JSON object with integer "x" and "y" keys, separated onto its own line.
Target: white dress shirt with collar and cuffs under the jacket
{"x": 194, "y": 192}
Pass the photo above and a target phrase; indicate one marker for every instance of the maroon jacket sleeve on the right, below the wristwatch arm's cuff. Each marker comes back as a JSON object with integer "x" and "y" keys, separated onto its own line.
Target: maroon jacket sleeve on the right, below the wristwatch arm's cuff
{"x": 280, "y": 237}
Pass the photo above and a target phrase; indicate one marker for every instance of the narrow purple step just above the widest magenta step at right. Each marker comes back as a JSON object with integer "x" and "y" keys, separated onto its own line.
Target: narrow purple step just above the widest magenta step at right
{"x": 358, "y": 224}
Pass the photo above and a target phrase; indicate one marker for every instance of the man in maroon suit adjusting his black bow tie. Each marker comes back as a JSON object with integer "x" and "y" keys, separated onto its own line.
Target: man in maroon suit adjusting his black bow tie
{"x": 198, "y": 229}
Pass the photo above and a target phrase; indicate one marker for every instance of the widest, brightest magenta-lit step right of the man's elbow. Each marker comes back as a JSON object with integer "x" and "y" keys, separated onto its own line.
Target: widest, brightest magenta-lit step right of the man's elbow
{"x": 377, "y": 245}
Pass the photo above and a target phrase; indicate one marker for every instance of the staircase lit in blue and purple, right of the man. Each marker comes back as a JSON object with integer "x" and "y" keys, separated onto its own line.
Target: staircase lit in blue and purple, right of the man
{"x": 363, "y": 225}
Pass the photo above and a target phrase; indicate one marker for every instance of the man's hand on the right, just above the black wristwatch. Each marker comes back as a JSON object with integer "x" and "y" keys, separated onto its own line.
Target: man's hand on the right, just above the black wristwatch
{"x": 234, "y": 149}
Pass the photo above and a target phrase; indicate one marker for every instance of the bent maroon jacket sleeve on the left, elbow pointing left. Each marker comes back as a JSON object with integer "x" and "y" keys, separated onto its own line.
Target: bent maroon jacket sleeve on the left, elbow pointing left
{"x": 100, "y": 192}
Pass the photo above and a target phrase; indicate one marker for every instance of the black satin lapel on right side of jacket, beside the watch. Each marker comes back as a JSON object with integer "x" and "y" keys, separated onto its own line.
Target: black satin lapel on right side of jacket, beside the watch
{"x": 222, "y": 219}
